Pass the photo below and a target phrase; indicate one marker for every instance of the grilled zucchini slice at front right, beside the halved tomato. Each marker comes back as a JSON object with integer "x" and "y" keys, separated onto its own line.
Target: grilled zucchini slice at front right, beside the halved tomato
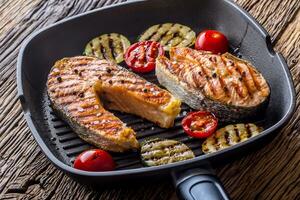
{"x": 229, "y": 136}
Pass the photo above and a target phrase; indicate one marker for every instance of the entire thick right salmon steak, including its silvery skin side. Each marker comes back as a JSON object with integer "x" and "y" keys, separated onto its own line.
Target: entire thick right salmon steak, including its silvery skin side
{"x": 229, "y": 87}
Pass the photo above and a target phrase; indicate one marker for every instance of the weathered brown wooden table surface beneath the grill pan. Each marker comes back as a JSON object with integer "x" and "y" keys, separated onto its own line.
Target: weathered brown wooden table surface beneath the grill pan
{"x": 271, "y": 173}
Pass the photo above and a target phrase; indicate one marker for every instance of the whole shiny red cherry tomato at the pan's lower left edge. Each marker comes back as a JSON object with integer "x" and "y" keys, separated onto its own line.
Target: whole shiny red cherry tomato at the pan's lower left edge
{"x": 94, "y": 160}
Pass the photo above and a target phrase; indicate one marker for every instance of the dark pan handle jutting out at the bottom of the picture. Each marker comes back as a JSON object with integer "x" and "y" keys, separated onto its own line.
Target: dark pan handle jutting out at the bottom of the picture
{"x": 199, "y": 184}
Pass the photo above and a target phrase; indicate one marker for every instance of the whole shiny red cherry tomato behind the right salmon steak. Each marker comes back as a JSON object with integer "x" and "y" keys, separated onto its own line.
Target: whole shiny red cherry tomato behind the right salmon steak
{"x": 212, "y": 40}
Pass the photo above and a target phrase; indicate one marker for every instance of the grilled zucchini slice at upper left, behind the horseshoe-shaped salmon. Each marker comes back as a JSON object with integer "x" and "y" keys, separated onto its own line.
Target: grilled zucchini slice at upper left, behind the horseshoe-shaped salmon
{"x": 110, "y": 46}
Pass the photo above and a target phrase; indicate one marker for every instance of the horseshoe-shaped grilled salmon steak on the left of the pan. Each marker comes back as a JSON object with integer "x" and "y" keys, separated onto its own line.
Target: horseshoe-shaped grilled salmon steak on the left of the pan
{"x": 80, "y": 88}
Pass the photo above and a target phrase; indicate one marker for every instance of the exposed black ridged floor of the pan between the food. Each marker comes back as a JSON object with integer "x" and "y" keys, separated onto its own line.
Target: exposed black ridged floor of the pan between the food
{"x": 69, "y": 145}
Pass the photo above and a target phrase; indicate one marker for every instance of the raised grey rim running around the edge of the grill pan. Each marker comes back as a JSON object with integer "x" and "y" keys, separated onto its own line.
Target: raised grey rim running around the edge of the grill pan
{"x": 198, "y": 159}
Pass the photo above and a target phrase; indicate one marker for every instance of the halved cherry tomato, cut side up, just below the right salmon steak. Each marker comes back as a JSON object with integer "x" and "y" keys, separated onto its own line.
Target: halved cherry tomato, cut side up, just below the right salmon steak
{"x": 200, "y": 124}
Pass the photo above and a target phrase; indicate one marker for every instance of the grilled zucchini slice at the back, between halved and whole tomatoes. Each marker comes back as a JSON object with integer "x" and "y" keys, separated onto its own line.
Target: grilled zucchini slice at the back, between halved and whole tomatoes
{"x": 170, "y": 35}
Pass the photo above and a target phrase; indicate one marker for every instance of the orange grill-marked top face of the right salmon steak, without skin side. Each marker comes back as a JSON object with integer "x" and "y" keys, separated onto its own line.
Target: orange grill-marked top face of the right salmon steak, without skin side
{"x": 224, "y": 77}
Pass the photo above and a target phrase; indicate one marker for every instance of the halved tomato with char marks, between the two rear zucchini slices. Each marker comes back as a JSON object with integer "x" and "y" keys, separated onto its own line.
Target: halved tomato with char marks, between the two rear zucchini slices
{"x": 141, "y": 56}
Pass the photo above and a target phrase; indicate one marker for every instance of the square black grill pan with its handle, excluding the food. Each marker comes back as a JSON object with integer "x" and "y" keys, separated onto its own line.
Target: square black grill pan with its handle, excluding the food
{"x": 193, "y": 178}
